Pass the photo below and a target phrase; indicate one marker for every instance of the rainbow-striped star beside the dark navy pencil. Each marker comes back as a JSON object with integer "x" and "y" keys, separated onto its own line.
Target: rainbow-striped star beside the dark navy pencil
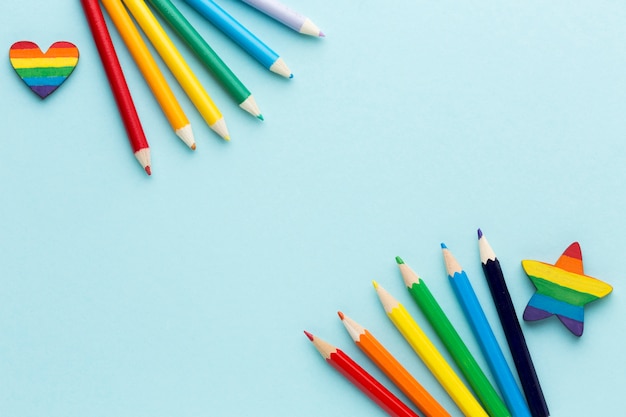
{"x": 563, "y": 289}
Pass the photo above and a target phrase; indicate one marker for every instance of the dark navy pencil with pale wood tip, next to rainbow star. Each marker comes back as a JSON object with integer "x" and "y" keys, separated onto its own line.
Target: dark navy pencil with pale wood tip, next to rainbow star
{"x": 512, "y": 329}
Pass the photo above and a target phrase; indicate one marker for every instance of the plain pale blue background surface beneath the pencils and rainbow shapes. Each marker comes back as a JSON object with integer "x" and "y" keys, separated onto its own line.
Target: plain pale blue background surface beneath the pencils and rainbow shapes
{"x": 186, "y": 293}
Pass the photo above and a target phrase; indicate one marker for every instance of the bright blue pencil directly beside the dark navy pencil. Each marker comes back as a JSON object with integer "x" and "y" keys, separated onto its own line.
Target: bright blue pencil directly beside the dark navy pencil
{"x": 486, "y": 339}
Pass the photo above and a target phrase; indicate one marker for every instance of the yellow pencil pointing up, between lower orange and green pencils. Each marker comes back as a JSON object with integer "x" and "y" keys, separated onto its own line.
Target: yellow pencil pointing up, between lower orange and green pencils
{"x": 429, "y": 354}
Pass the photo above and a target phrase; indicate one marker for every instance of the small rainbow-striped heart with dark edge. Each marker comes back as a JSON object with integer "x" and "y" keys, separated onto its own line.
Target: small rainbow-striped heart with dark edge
{"x": 43, "y": 72}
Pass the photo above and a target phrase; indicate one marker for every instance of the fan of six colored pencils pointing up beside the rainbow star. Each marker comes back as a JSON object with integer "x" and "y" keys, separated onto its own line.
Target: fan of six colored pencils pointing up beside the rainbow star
{"x": 470, "y": 389}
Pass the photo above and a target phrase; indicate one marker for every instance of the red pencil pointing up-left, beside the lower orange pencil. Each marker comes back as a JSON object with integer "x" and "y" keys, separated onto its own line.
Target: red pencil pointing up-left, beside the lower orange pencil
{"x": 361, "y": 378}
